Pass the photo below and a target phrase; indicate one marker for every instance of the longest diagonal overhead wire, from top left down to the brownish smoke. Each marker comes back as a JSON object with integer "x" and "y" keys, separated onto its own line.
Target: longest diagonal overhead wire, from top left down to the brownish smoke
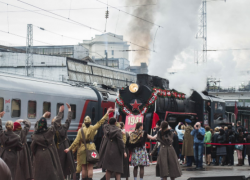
{"x": 82, "y": 24}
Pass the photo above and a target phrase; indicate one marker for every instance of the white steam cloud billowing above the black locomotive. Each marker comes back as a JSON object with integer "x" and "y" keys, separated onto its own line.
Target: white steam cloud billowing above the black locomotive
{"x": 176, "y": 43}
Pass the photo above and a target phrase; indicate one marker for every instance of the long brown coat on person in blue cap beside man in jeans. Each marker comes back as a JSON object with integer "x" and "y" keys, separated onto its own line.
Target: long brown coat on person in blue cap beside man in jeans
{"x": 188, "y": 142}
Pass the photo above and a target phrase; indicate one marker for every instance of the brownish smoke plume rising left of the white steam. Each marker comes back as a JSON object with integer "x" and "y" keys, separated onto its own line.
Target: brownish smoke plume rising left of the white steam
{"x": 139, "y": 31}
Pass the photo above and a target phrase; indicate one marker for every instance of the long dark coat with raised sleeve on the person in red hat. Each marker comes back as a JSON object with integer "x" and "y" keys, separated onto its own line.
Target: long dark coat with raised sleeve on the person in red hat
{"x": 24, "y": 167}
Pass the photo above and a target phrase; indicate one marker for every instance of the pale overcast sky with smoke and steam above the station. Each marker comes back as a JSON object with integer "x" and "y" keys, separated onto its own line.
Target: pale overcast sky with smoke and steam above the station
{"x": 174, "y": 42}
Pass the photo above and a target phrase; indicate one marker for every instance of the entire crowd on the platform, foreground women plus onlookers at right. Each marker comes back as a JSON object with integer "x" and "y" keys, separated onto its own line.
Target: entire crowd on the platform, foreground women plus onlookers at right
{"x": 51, "y": 155}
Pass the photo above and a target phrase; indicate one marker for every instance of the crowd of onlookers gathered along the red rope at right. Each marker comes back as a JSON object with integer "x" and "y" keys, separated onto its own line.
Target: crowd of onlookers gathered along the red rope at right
{"x": 217, "y": 145}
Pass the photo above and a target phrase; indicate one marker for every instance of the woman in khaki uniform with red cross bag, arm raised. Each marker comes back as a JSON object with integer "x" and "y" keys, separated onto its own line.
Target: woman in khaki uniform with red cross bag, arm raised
{"x": 89, "y": 133}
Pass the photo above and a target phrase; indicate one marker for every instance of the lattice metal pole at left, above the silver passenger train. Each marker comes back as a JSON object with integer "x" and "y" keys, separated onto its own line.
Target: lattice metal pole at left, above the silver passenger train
{"x": 29, "y": 68}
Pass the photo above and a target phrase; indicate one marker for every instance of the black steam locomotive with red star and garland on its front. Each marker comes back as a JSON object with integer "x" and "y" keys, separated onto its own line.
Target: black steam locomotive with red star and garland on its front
{"x": 208, "y": 110}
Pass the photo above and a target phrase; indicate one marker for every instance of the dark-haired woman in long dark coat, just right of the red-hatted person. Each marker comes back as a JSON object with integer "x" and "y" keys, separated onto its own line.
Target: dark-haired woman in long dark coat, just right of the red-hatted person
{"x": 45, "y": 156}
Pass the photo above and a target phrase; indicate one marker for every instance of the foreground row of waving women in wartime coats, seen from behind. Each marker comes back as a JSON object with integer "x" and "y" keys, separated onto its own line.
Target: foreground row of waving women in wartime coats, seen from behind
{"x": 51, "y": 156}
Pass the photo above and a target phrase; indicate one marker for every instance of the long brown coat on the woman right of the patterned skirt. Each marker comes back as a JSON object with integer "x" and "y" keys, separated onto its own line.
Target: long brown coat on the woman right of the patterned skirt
{"x": 167, "y": 164}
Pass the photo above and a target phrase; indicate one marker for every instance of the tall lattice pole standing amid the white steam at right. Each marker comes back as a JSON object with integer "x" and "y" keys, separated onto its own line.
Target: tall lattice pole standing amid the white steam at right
{"x": 202, "y": 32}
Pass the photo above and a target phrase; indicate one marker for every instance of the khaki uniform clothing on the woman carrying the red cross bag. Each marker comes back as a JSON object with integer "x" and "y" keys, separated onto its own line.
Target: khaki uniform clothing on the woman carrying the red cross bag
{"x": 89, "y": 133}
